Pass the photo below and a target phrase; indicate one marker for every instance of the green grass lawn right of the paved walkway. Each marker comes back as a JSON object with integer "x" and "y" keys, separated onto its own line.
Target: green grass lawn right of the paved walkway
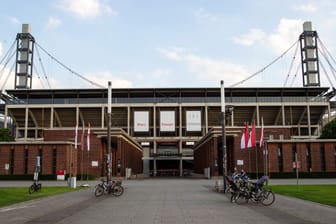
{"x": 324, "y": 194}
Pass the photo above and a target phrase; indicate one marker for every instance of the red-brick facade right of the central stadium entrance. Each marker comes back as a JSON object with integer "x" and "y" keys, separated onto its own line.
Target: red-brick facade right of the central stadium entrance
{"x": 314, "y": 155}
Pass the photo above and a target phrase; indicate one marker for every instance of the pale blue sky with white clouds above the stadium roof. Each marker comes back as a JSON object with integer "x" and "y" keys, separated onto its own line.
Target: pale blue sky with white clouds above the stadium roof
{"x": 165, "y": 43}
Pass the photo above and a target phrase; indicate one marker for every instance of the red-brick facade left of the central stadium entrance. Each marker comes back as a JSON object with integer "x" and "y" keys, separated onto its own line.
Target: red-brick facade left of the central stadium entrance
{"x": 55, "y": 155}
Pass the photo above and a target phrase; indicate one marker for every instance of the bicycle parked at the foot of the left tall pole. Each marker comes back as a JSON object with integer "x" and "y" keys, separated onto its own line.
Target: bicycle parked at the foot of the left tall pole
{"x": 113, "y": 187}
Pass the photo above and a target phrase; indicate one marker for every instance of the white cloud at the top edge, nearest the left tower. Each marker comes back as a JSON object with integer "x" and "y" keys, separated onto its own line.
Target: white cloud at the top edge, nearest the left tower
{"x": 86, "y": 8}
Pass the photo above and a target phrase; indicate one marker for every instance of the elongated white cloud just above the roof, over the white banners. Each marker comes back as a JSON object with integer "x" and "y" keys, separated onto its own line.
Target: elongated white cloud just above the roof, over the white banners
{"x": 205, "y": 68}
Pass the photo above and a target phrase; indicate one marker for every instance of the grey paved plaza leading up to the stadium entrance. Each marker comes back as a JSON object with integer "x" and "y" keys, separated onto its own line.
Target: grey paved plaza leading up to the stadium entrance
{"x": 161, "y": 201}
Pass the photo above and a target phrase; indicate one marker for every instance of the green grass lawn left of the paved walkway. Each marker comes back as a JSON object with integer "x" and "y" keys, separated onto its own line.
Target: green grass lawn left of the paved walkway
{"x": 12, "y": 195}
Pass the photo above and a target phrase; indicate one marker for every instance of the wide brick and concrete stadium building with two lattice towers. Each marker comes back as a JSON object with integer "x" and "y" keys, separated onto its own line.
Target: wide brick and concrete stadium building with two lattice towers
{"x": 168, "y": 131}
